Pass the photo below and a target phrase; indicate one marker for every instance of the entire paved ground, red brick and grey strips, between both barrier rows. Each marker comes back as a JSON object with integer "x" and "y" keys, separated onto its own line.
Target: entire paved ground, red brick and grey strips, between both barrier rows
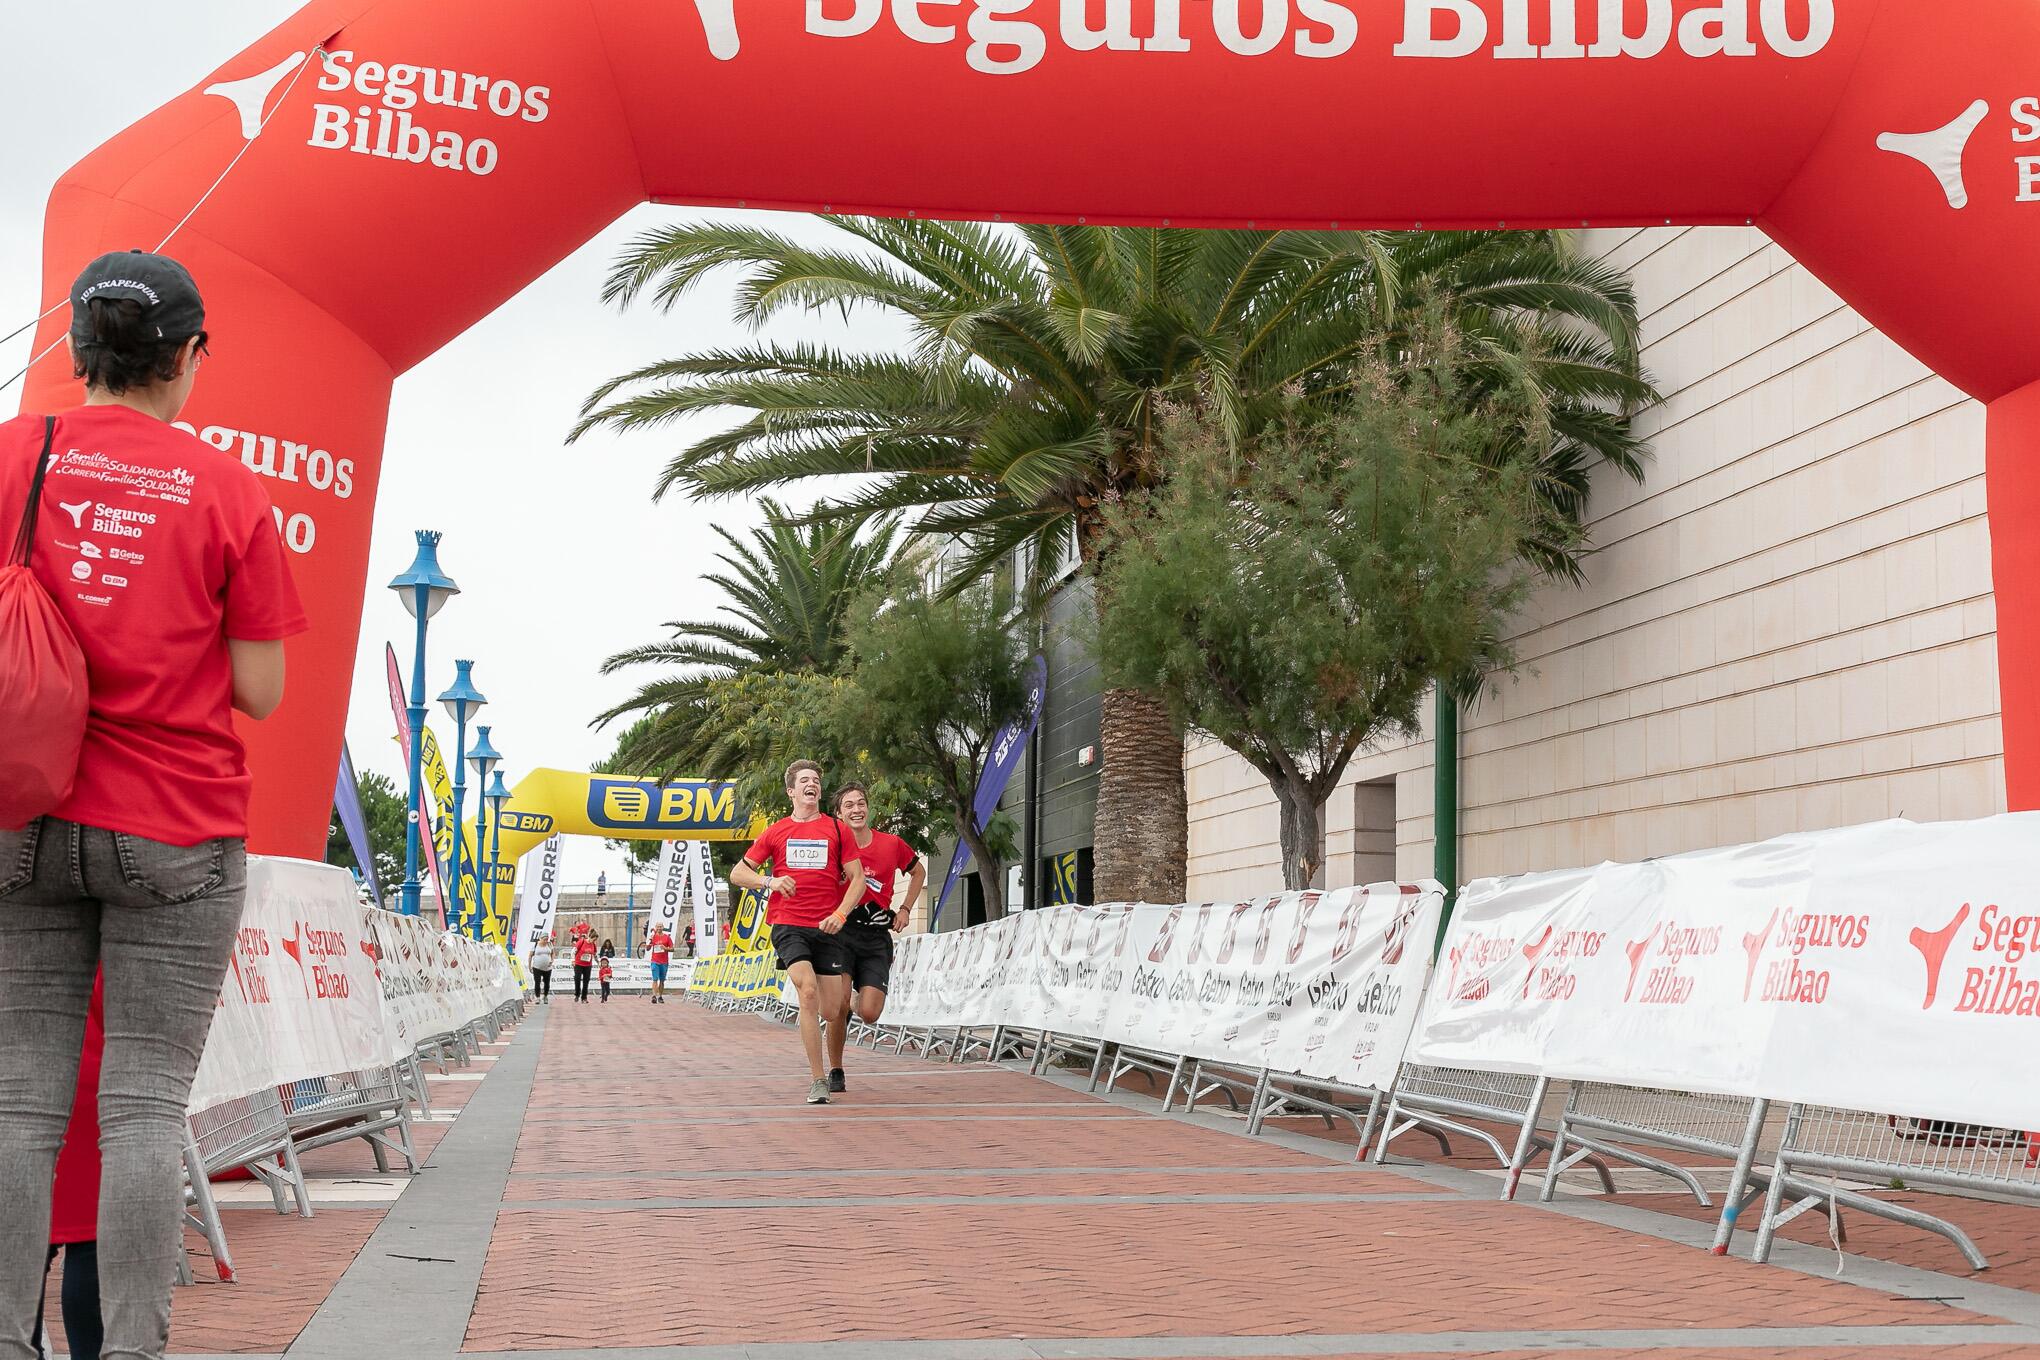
{"x": 648, "y": 1180}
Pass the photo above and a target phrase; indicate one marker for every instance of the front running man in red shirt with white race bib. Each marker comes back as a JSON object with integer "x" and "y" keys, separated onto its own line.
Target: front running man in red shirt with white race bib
{"x": 815, "y": 882}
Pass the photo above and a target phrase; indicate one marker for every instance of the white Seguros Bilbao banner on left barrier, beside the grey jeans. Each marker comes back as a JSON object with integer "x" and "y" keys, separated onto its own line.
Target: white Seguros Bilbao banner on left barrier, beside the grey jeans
{"x": 301, "y": 996}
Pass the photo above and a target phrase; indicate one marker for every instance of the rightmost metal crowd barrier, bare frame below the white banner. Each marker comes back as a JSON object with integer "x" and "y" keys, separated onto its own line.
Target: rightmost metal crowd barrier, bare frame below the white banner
{"x": 1894, "y": 1149}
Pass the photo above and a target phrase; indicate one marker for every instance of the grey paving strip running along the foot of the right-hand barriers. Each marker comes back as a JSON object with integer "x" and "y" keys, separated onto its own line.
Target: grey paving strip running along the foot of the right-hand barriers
{"x": 1972, "y": 1296}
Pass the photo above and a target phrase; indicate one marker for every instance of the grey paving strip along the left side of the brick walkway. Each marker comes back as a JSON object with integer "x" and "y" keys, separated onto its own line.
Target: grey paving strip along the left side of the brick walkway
{"x": 389, "y": 1306}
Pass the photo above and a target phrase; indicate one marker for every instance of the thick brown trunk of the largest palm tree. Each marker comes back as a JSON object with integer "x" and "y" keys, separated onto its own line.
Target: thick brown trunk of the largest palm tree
{"x": 1141, "y": 833}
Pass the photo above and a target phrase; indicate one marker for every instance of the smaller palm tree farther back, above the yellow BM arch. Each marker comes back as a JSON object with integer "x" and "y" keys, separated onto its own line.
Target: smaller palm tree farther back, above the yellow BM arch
{"x": 790, "y": 594}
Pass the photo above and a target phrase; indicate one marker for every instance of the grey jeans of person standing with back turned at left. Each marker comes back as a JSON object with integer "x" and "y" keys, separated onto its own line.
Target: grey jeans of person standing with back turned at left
{"x": 162, "y": 923}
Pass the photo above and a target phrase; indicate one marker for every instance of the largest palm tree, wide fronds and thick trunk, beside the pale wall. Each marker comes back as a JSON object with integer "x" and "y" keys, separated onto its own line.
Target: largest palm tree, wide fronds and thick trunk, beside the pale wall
{"x": 1043, "y": 362}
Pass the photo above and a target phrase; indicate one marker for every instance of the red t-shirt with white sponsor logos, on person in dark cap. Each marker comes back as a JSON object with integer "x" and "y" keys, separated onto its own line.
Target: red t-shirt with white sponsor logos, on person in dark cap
{"x": 156, "y": 550}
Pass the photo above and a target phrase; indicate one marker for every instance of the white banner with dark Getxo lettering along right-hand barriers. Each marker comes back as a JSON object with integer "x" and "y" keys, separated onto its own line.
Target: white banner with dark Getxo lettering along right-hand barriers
{"x": 1315, "y": 984}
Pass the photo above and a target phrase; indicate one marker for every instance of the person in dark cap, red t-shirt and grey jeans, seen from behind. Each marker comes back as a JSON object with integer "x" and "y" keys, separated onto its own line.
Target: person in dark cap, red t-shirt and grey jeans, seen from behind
{"x": 162, "y": 556}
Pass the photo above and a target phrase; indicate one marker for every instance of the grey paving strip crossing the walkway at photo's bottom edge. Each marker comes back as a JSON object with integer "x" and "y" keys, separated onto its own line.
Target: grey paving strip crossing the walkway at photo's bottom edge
{"x": 1759, "y": 1341}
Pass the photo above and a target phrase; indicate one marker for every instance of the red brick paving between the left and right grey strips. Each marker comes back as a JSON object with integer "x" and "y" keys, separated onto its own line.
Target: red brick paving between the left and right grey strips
{"x": 670, "y": 1145}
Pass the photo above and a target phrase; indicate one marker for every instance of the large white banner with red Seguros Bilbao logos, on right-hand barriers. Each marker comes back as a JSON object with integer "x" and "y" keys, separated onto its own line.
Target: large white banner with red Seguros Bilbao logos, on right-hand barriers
{"x": 1886, "y": 967}
